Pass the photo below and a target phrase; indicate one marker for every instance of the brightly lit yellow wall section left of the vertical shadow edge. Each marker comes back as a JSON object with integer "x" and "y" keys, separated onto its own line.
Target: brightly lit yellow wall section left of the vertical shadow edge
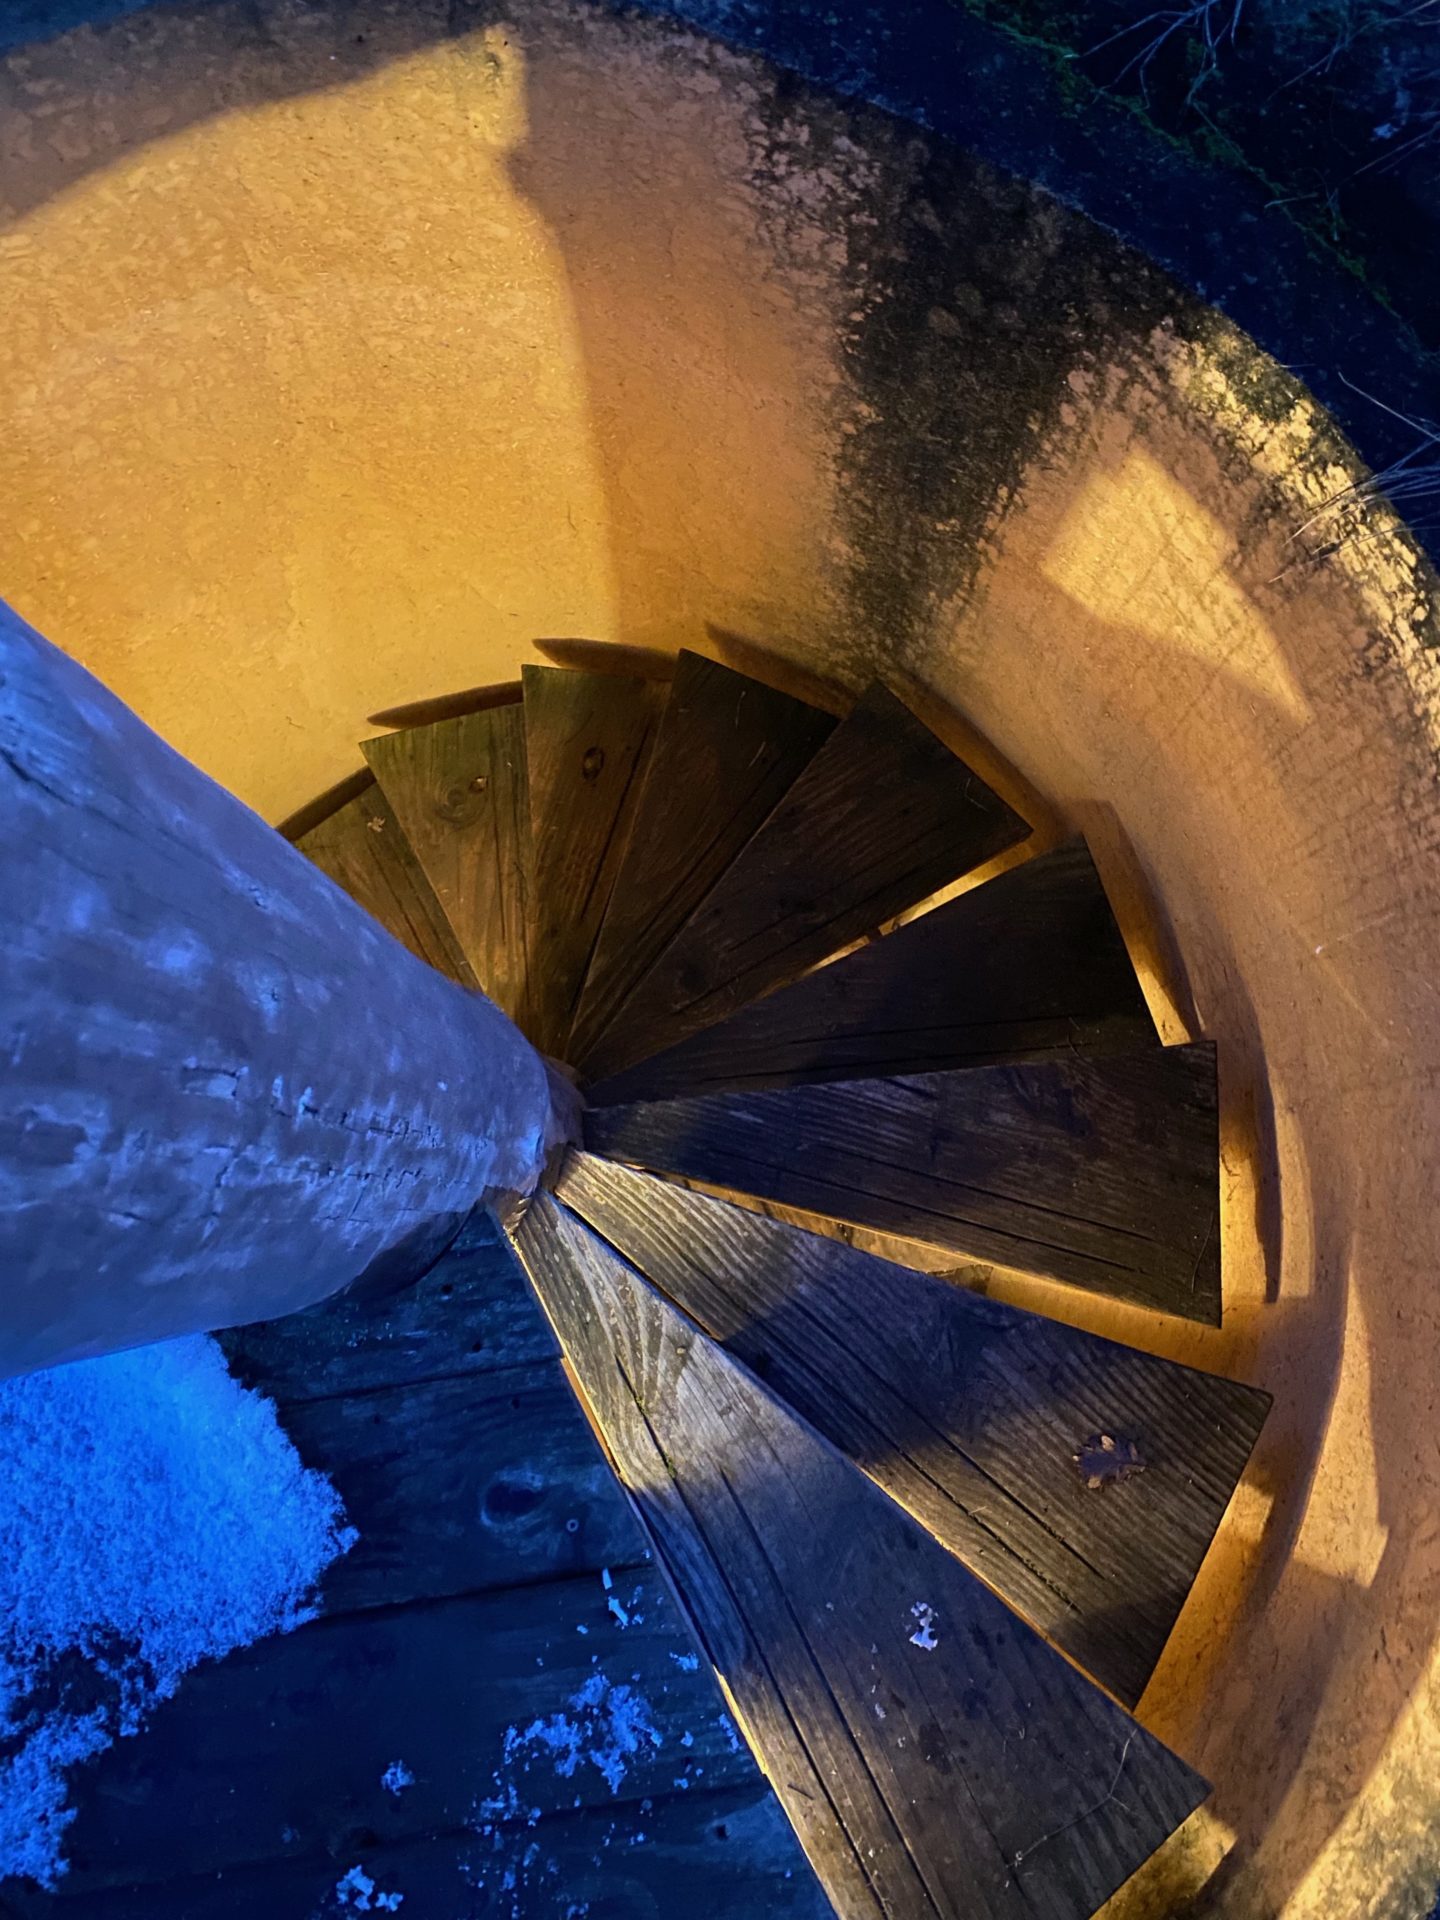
{"x": 291, "y": 383}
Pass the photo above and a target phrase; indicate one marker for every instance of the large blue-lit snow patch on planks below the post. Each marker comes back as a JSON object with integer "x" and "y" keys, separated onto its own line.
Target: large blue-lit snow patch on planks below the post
{"x": 153, "y": 1516}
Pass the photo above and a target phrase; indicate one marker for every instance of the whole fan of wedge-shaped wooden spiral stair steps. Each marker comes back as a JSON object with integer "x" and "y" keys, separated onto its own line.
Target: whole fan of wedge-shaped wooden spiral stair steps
{"x": 932, "y": 1545}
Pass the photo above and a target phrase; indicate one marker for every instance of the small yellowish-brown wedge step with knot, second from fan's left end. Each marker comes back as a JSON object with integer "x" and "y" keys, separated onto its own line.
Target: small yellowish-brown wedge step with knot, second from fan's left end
{"x": 460, "y": 794}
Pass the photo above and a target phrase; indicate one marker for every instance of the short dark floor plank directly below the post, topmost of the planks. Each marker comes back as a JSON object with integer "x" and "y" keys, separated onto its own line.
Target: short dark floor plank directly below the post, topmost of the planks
{"x": 473, "y": 1312}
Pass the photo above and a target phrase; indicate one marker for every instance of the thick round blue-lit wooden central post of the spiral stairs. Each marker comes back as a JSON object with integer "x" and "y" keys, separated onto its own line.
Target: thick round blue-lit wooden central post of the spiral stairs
{"x": 228, "y": 1092}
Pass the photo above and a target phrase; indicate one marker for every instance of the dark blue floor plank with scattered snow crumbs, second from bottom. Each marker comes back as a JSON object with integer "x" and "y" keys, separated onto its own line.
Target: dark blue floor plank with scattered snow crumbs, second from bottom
{"x": 281, "y": 1750}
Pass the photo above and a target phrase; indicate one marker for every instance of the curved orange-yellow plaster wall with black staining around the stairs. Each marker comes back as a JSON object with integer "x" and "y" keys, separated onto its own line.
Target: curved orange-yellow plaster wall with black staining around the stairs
{"x": 348, "y": 350}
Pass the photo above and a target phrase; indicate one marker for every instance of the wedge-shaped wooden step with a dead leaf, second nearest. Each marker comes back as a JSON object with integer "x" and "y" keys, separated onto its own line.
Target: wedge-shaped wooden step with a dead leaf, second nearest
{"x": 1082, "y": 1479}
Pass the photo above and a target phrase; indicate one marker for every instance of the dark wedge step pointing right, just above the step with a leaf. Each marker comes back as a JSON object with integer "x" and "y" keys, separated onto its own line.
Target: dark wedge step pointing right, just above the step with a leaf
{"x": 1097, "y": 1172}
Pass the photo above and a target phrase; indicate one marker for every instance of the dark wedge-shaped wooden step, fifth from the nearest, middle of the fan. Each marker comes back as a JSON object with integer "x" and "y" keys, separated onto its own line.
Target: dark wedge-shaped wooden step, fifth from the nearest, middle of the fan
{"x": 882, "y": 817}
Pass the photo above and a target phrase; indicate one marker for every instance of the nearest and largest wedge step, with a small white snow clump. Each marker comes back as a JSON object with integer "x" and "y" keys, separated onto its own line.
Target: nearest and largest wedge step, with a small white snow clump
{"x": 934, "y": 1754}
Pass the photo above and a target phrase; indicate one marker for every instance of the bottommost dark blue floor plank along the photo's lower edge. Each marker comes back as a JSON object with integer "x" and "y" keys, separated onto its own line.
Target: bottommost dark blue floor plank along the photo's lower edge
{"x": 617, "y": 1861}
